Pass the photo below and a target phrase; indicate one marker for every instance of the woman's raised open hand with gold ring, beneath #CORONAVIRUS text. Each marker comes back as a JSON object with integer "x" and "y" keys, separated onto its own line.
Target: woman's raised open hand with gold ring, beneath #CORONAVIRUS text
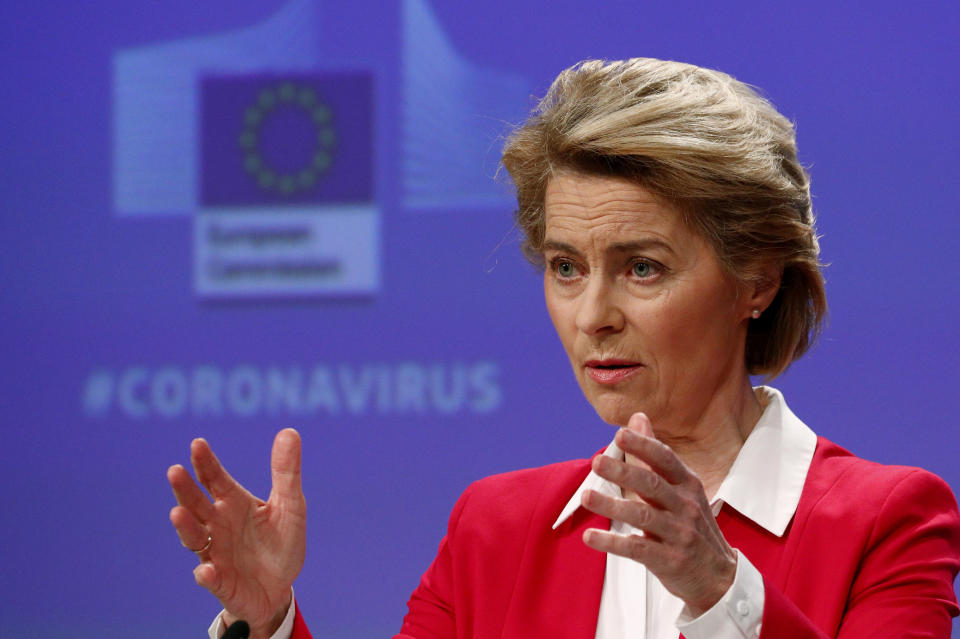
{"x": 256, "y": 548}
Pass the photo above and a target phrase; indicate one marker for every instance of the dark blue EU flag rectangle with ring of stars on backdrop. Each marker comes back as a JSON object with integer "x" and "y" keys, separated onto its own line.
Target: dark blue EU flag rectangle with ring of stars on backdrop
{"x": 269, "y": 139}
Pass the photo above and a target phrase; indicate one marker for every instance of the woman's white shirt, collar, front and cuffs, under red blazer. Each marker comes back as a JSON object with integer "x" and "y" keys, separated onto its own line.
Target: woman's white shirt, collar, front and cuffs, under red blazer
{"x": 764, "y": 484}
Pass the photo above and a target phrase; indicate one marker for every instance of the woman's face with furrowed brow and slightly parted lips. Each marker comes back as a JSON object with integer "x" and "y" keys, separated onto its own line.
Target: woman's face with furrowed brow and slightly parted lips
{"x": 648, "y": 318}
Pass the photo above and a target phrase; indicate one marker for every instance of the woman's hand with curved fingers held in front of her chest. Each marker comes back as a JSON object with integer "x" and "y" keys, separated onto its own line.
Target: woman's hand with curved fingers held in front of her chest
{"x": 681, "y": 542}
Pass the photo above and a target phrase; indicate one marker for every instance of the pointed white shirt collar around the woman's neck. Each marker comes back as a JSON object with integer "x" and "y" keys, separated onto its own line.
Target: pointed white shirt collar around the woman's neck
{"x": 766, "y": 479}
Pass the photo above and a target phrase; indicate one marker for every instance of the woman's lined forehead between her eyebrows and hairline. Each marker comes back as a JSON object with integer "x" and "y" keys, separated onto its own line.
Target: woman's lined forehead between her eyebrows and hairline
{"x": 577, "y": 204}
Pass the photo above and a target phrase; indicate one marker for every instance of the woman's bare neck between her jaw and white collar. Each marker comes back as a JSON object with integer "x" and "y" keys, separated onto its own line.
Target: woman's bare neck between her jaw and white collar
{"x": 709, "y": 442}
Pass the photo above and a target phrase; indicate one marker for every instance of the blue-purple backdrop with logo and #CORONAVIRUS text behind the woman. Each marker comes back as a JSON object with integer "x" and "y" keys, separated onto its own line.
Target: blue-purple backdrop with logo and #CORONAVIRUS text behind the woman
{"x": 223, "y": 218}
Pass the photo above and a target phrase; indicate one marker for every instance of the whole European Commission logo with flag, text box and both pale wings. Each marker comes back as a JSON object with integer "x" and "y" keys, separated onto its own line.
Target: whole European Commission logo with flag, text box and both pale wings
{"x": 270, "y": 151}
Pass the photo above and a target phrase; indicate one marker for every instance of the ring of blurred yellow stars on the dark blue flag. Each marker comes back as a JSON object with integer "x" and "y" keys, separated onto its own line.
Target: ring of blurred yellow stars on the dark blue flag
{"x": 269, "y": 99}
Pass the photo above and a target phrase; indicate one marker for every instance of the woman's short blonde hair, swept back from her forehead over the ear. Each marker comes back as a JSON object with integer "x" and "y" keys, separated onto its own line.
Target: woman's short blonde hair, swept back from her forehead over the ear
{"x": 708, "y": 145}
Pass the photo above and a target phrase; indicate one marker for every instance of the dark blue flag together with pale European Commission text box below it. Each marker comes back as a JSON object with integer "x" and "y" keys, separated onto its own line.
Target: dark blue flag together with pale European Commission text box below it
{"x": 286, "y": 185}
